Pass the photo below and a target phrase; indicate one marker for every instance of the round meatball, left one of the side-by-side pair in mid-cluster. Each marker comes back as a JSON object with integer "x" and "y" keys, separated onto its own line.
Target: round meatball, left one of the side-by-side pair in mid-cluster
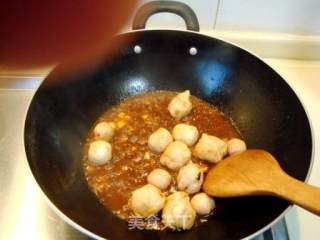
{"x": 159, "y": 140}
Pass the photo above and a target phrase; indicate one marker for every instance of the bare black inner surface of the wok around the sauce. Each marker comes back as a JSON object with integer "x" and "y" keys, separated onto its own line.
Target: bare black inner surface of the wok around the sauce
{"x": 263, "y": 107}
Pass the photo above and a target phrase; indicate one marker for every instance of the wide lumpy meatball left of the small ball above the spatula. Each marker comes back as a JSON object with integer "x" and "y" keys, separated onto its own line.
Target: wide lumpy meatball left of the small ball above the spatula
{"x": 210, "y": 148}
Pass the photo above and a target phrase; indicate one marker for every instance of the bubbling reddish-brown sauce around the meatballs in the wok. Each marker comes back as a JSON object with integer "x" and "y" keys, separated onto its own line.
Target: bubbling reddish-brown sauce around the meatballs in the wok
{"x": 135, "y": 119}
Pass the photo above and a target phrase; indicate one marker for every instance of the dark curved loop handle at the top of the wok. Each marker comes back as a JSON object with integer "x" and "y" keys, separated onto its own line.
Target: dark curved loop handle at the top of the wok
{"x": 179, "y": 8}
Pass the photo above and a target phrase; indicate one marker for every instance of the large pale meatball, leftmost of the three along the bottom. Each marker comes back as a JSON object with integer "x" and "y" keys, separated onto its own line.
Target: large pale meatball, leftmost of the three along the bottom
{"x": 146, "y": 201}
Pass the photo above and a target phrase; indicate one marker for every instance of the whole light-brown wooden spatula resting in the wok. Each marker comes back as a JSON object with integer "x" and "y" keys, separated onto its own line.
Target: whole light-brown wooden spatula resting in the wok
{"x": 257, "y": 172}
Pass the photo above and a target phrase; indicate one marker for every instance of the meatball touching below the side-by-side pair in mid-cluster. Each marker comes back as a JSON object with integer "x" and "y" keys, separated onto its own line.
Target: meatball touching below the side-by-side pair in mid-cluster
{"x": 176, "y": 155}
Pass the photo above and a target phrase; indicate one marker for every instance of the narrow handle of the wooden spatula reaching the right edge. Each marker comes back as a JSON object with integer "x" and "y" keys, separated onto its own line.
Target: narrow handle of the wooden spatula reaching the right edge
{"x": 299, "y": 193}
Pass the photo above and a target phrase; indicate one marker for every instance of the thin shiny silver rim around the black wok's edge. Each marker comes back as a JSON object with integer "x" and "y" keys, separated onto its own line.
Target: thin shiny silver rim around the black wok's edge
{"x": 85, "y": 231}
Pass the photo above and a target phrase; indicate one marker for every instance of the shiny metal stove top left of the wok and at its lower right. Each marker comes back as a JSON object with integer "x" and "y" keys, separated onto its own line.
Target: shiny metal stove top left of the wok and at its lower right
{"x": 25, "y": 212}
